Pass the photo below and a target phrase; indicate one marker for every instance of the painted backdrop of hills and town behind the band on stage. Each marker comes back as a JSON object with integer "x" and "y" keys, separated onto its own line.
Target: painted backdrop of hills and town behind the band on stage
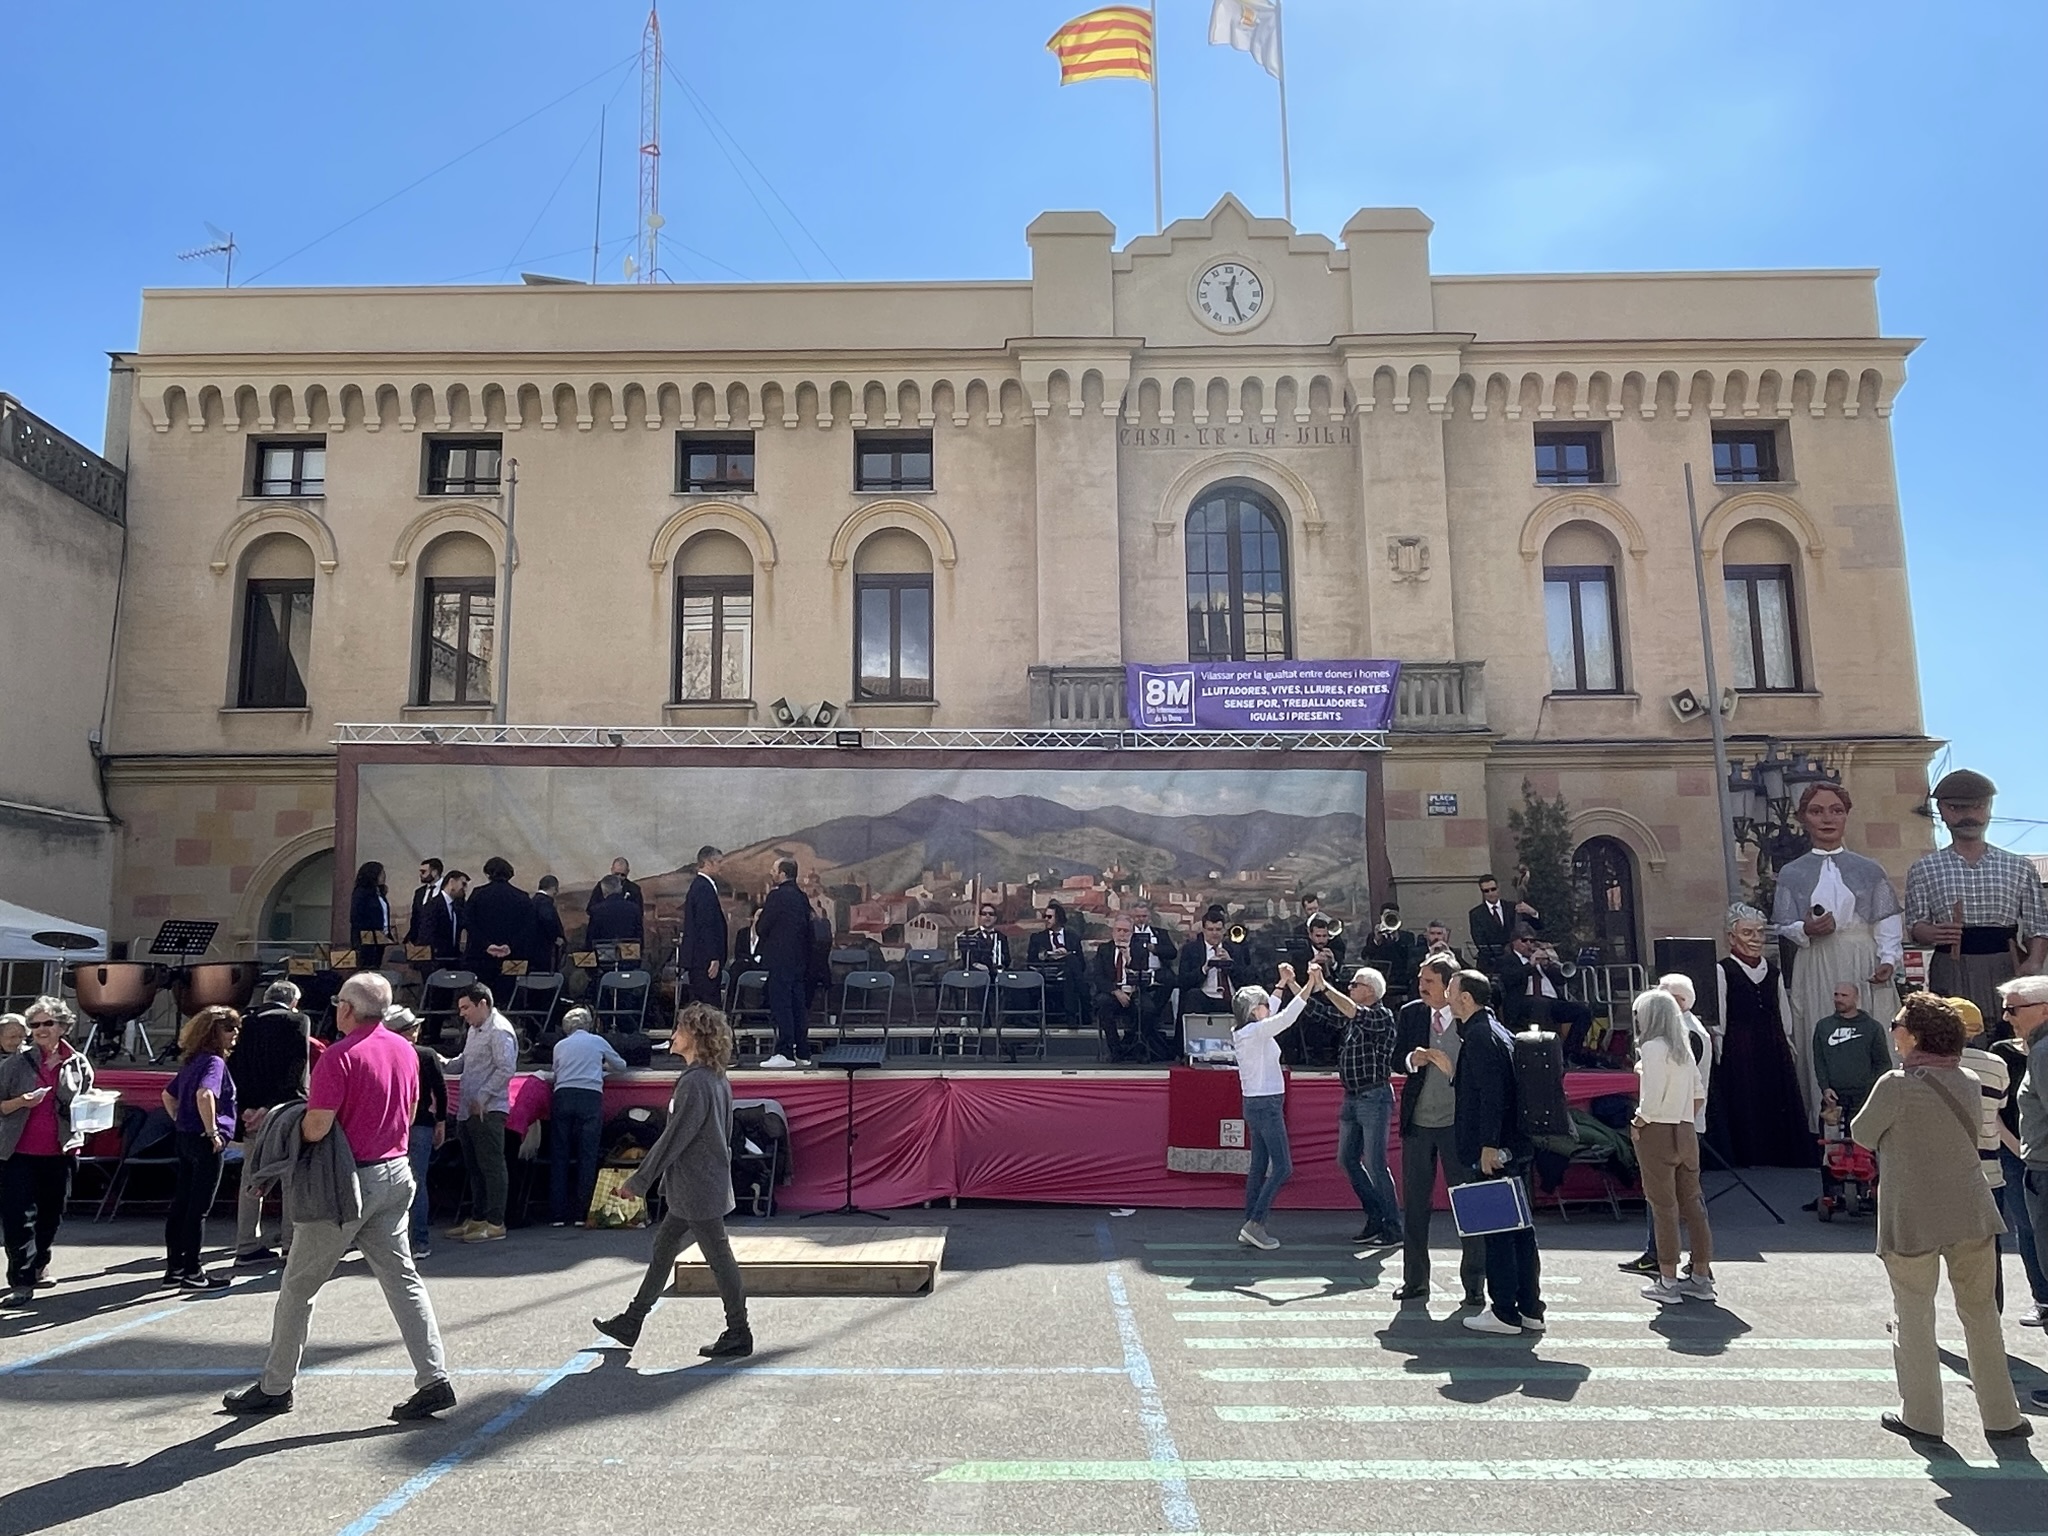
{"x": 898, "y": 857}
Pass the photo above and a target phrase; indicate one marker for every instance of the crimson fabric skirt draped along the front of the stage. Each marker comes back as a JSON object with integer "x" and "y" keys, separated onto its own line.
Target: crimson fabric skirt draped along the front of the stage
{"x": 1086, "y": 1138}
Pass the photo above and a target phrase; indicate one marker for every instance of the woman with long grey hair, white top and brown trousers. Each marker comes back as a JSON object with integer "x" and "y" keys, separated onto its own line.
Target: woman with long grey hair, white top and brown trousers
{"x": 1668, "y": 1146}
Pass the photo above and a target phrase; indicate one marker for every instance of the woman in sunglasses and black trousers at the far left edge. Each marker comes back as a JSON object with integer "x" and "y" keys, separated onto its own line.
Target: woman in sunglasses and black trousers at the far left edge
{"x": 38, "y": 1144}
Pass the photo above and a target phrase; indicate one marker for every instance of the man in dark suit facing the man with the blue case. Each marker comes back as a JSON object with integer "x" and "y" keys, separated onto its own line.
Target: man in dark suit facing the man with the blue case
{"x": 1426, "y": 1050}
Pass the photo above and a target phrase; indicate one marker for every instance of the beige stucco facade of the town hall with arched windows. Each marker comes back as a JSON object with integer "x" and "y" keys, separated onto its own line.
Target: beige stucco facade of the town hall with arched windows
{"x": 1385, "y": 413}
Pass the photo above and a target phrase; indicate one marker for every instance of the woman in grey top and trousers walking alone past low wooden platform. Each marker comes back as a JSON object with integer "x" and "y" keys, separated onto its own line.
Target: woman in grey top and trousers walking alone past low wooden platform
{"x": 693, "y": 1166}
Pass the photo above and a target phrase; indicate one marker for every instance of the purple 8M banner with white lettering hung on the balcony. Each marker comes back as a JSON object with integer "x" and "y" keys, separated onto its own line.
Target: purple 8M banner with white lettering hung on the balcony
{"x": 1263, "y": 695}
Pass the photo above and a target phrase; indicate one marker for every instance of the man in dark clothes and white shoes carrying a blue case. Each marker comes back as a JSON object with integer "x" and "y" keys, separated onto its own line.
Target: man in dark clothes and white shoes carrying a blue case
{"x": 1492, "y": 1142}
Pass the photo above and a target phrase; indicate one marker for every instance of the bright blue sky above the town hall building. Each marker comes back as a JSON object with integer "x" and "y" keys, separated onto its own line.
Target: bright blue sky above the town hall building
{"x": 1539, "y": 136}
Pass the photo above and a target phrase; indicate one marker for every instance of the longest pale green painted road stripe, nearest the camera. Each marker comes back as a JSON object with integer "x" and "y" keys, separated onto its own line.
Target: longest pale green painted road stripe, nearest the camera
{"x": 1662, "y": 1469}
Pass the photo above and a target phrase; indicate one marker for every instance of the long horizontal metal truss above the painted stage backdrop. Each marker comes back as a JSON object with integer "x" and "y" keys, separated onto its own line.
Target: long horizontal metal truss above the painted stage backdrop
{"x": 867, "y": 738}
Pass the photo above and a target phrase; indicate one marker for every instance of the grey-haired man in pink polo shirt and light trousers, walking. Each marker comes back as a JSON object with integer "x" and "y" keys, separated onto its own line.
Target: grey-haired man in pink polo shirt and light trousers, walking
{"x": 364, "y": 1091}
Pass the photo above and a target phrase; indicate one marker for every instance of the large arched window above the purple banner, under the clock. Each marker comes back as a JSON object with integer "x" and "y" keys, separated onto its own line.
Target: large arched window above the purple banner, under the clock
{"x": 1238, "y": 597}
